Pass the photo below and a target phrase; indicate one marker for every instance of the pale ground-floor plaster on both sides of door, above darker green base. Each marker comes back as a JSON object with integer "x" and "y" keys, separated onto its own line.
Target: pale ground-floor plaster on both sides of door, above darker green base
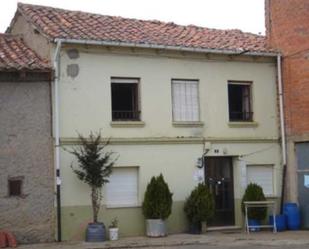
{"x": 177, "y": 162}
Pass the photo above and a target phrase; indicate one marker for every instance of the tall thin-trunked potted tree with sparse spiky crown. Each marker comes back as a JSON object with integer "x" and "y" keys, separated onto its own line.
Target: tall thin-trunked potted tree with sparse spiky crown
{"x": 94, "y": 168}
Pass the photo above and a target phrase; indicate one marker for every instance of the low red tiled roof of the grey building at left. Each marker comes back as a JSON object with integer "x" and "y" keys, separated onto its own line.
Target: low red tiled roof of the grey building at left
{"x": 16, "y": 55}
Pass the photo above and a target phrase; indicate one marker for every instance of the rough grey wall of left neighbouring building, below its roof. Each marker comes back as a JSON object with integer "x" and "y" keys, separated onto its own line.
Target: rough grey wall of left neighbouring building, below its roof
{"x": 26, "y": 154}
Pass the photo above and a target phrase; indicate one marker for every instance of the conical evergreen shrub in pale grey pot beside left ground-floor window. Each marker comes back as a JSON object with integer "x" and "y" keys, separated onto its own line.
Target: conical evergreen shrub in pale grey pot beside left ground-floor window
{"x": 157, "y": 206}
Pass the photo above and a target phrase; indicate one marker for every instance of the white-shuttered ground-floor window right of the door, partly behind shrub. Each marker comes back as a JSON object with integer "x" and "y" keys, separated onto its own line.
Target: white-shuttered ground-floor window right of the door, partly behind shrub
{"x": 262, "y": 175}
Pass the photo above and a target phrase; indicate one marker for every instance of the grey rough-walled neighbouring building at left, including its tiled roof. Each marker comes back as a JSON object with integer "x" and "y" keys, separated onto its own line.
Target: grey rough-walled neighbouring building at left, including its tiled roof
{"x": 26, "y": 165}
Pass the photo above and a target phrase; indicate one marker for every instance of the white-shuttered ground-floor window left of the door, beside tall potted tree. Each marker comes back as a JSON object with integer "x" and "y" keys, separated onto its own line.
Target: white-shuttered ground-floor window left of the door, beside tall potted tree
{"x": 122, "y": 189}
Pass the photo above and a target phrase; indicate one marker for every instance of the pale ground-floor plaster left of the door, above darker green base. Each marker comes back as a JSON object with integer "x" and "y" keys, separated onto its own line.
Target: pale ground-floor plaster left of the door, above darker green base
{"x": 175, "y": 162}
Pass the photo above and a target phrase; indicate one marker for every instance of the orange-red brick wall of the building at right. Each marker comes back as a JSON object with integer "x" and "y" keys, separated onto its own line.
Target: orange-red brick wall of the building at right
{"x": 287, "y": 29}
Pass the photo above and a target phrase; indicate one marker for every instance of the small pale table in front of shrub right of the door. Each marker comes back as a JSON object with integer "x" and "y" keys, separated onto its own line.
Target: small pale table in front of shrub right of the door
{"x": 270, "y": 204}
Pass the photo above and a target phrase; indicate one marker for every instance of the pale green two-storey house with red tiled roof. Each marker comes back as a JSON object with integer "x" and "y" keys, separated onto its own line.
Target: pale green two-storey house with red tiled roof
{"x": 192, "y": 103}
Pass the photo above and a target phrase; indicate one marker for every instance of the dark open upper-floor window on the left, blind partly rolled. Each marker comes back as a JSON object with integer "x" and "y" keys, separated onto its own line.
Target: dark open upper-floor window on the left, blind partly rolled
{"x": 125, "y": 99}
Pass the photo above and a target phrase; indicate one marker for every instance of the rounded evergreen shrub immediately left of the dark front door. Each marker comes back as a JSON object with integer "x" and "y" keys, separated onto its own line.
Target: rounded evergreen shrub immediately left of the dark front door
{"x": 199, "y": 207}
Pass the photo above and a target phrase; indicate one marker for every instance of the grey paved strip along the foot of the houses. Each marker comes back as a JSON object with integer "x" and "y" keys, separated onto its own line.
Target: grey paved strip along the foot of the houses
{"x": 284, "y": 240}
